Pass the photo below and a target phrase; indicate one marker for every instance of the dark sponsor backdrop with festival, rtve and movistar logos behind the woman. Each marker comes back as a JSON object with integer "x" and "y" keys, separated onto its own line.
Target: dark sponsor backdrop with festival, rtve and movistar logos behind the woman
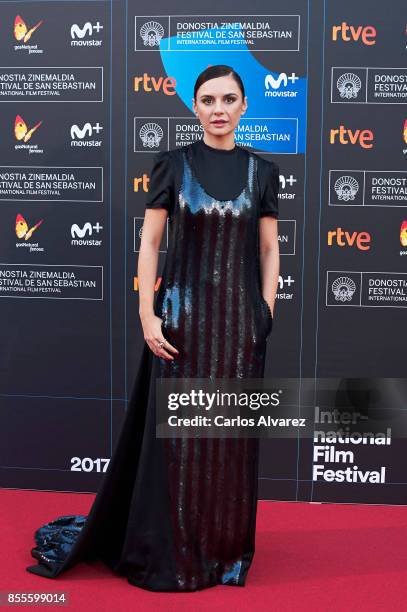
{"x": 90, "y": 90}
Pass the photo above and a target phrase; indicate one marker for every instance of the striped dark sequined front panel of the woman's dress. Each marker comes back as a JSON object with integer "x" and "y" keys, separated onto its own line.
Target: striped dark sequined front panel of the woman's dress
{"x": 213, "y": 313}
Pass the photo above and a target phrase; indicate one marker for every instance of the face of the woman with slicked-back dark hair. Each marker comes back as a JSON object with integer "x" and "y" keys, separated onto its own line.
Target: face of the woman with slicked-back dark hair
{"x": 219, "y": 105}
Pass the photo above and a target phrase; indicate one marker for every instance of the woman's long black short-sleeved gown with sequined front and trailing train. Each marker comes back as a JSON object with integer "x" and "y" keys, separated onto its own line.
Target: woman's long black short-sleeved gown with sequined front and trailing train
{"x": 178, "y": 514}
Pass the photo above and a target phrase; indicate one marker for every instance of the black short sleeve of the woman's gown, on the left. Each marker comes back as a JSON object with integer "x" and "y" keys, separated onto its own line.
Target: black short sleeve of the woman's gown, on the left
{"x": 161, "y": 185}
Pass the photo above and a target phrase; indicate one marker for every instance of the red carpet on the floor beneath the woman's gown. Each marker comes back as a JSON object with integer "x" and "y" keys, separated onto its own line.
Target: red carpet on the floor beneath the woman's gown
{"x": 308, "y": 556}
